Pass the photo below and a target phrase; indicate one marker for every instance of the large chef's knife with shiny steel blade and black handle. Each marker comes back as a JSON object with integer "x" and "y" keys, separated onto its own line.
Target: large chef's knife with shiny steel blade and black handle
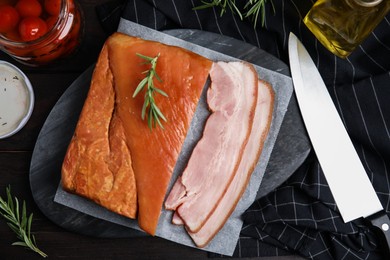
{"x": 348, "y": 181}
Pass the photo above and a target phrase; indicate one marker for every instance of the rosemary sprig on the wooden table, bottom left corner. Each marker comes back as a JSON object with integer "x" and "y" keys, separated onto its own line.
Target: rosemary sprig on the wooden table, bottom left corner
{"x": 19, "y": 223}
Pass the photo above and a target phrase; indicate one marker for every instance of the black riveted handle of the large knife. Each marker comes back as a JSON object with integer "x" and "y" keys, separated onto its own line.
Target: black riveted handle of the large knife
{"x": 382, "y": 222}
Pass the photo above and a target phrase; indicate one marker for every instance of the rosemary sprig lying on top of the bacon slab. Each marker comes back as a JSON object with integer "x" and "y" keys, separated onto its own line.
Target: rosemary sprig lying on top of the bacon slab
{"x": 154, "y": 113}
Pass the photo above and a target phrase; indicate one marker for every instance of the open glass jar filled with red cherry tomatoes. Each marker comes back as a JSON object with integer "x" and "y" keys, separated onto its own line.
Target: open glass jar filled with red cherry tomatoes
{"x": 61, "y": 37}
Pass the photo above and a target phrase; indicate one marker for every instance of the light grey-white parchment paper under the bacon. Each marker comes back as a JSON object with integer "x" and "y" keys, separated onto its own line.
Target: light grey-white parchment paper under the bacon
{"x": 225, "y": 241}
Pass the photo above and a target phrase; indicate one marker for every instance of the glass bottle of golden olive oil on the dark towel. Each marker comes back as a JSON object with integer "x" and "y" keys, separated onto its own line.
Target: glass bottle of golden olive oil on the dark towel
{"x": 342, "y": 25}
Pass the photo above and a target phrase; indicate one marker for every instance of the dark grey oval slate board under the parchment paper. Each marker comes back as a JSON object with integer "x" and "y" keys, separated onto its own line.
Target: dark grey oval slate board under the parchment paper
{"x": 291, "y": 148}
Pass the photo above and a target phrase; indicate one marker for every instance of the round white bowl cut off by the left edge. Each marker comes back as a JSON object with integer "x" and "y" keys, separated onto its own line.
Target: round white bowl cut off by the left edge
{"x": 17, "y": 105}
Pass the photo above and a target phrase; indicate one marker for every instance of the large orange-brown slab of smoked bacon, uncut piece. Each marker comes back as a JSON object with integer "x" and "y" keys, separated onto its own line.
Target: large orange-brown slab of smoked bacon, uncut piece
{"x": 134, "y": 174}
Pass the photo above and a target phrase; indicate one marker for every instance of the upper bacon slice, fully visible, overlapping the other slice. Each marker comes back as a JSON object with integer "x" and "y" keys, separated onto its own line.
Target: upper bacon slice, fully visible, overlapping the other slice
{"x": 215, "y": 159}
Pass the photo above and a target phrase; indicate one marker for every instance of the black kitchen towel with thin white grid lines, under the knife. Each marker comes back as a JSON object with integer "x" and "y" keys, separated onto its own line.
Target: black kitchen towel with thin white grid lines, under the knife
{"x": 300, "y": 217}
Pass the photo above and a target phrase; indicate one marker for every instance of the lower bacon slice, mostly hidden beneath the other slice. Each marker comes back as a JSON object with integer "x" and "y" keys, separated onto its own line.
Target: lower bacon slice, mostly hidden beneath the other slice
{"x": 252, "y": 152}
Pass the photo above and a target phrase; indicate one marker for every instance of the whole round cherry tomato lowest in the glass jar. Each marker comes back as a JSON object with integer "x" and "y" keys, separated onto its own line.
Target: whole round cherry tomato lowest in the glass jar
{"x": 31, "y": 28}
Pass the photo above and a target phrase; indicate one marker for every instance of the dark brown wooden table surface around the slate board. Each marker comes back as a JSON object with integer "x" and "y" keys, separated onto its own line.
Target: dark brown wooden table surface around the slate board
{"x": 15, "y": 155}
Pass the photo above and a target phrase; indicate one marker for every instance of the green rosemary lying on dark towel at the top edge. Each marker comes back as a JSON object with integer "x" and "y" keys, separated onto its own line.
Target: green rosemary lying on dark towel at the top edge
{"x": 252, "y": 9}
